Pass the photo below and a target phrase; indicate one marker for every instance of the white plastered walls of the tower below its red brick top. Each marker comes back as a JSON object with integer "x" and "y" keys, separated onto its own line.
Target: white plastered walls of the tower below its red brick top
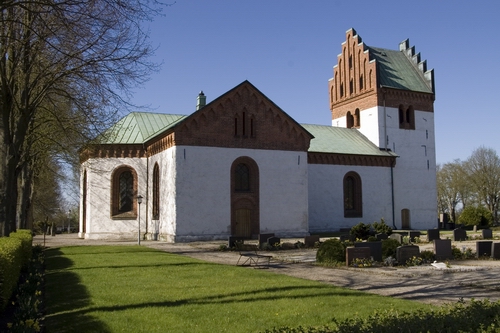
{"x": 415, "y": 171}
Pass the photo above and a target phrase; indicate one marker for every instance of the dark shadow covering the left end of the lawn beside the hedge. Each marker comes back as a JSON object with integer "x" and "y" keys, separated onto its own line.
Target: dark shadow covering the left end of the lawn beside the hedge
{"x": 65, "y": 297}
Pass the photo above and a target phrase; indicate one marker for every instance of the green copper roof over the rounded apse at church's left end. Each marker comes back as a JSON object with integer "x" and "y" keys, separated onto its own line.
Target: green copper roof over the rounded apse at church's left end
{"x": 139, "y": 127}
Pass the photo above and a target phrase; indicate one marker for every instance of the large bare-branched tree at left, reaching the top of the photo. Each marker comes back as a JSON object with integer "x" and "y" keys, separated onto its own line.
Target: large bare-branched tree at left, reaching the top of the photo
{"x": 85, "y": 55}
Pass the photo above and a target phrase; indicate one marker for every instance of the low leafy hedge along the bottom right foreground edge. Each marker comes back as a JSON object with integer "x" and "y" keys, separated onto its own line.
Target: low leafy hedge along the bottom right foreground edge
{"x": 474, "y": 316}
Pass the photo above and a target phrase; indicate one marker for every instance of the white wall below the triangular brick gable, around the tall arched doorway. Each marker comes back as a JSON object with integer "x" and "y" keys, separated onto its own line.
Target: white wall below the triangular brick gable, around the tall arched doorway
{"x": 204, "y": 191}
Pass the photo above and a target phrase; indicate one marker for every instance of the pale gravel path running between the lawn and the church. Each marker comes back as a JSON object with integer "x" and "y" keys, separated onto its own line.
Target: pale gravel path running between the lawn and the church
{"x": 473, "y": 279}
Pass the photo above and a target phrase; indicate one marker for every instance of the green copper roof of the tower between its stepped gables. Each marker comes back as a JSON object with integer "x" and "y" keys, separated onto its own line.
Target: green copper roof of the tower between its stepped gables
{"x": 397, "y": 71}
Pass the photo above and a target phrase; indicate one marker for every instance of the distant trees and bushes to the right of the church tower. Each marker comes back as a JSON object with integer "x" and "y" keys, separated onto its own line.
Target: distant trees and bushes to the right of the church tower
{"x": 469, "y": 191}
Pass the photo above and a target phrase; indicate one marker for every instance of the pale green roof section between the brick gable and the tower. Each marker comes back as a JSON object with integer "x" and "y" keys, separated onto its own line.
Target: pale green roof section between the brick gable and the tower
{"x": 340, "y": 140}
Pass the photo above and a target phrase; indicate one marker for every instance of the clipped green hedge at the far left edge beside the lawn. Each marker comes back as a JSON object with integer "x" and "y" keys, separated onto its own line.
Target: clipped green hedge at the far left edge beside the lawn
{"x": 10, "y": 267}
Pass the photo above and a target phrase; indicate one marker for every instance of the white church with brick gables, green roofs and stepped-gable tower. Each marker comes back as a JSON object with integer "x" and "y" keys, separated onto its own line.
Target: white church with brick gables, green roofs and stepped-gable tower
{"x": 239, "y": 165}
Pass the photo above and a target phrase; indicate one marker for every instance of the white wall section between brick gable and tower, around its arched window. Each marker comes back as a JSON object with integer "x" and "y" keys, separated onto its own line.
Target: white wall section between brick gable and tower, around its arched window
{"x": 326, "y": 196}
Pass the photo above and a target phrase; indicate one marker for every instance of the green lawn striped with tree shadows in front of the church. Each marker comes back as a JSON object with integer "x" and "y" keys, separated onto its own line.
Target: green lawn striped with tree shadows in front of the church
{"x": 137, "y": 289}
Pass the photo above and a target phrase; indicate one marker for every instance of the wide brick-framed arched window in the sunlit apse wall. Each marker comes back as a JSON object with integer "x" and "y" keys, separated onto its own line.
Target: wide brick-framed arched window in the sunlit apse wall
{"x": 124, "y": 189}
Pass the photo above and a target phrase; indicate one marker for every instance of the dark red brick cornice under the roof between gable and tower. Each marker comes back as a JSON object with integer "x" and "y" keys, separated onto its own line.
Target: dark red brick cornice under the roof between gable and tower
{"x": 345, "y": 159}
